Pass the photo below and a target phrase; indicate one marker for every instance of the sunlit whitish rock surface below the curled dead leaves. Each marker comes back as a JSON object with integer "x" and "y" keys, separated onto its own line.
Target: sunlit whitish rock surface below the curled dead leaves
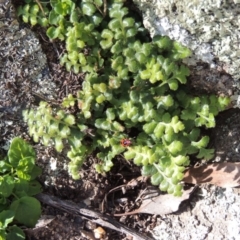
{"x": 214, "y": 216}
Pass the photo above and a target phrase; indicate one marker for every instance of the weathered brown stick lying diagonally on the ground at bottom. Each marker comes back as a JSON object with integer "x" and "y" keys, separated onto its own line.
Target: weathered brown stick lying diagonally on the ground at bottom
{"x": 82, "y": 209}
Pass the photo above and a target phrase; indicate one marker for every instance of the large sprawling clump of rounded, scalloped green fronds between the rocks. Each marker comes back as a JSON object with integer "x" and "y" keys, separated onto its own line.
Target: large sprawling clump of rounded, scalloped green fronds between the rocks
{"x": 133, "y": 89}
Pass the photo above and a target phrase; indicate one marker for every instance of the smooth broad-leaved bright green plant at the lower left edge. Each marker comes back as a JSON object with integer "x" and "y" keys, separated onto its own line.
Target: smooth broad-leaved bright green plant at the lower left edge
{"x": 18, "y": 185}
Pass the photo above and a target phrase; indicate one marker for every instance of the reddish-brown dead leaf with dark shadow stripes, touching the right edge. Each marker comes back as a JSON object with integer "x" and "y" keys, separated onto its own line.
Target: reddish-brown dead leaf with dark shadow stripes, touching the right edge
{"x": 224, "y": 174}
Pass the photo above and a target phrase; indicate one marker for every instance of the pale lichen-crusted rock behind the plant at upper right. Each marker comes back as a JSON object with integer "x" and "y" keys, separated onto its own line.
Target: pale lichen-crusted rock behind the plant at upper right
{"x": 210, "y": 28}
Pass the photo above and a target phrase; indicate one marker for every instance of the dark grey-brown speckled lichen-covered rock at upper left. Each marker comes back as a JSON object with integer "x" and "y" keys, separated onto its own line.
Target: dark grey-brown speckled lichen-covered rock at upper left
{"x": 22, "y": 62}
